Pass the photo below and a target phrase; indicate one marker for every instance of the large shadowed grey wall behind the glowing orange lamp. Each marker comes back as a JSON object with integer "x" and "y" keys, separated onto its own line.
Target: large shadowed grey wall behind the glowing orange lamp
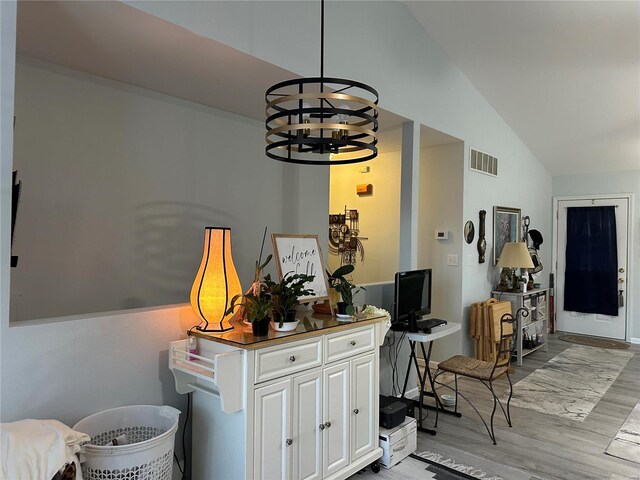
{"x": 118, "y": 185}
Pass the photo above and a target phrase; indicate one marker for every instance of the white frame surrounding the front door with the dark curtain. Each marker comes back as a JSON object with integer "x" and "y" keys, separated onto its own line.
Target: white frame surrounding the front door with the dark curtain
{"x": 630, "y": 271}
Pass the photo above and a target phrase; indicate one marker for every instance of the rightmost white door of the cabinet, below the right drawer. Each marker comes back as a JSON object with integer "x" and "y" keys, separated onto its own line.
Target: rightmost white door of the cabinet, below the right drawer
{"x": 363, "y": 409}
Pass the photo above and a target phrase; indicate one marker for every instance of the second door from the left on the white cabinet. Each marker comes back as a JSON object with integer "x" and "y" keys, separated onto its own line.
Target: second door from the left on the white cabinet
{"x": 305, "y": 423}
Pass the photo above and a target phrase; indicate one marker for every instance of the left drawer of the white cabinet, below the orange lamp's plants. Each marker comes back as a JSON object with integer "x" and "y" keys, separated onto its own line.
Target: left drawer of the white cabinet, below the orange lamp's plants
{"x": 286, "y": 359}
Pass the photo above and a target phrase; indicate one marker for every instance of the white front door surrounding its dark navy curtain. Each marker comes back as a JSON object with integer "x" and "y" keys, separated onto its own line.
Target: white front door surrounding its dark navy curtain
{"x": 596, "y": 324}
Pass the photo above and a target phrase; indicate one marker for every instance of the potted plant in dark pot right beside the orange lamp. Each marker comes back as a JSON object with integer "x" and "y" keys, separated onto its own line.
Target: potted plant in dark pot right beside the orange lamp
{"x": 256, "y": 304}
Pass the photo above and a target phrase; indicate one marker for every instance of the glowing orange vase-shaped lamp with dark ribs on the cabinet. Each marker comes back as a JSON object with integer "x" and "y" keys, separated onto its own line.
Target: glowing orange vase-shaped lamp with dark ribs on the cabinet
{"x": 216, "y": 282}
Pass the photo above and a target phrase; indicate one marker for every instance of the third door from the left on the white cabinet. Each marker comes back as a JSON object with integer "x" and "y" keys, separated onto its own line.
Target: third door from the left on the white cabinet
{"x": 335, "y": 445}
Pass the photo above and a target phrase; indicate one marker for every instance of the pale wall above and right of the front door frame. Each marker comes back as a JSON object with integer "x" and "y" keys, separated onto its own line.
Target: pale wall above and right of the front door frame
{"x": 612, "y": 183}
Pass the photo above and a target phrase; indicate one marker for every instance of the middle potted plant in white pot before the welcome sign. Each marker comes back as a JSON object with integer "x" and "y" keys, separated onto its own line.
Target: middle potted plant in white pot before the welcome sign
{"x": 285, "y": 294}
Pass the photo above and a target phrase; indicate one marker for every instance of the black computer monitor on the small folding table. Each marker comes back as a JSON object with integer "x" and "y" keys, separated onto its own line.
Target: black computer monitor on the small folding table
{"x": 412, "y": 294}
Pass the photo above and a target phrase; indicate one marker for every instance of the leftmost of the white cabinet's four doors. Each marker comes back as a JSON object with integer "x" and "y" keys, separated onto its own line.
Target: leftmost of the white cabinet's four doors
{"x": 271, "y": 458}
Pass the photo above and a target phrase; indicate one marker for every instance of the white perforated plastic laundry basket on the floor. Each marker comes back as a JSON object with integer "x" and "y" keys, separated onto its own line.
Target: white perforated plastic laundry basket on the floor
{"x": 150, "y": 431}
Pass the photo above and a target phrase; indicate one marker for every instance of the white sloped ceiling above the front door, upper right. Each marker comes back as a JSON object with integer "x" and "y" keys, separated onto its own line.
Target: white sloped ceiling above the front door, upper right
{"x": 565, "y": 75}
